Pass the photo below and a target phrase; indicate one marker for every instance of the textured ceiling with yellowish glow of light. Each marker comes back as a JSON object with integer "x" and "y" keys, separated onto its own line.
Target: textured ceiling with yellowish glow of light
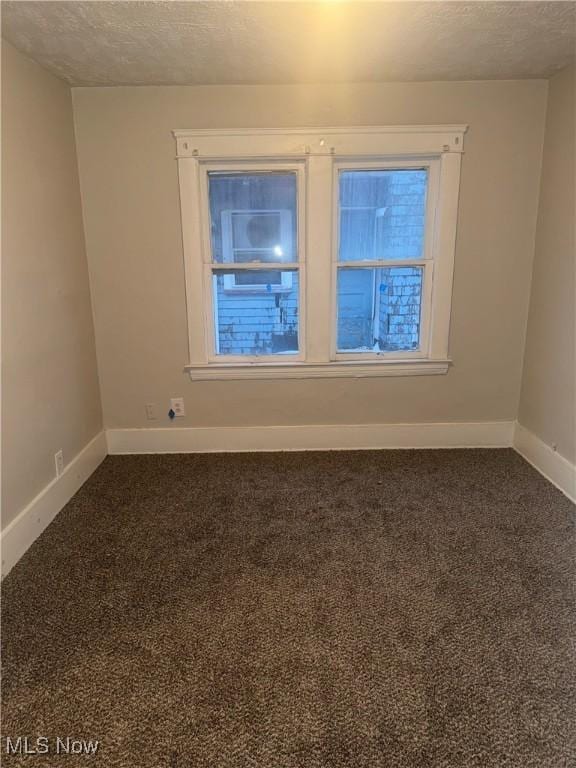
{"x": 143, "y": 43}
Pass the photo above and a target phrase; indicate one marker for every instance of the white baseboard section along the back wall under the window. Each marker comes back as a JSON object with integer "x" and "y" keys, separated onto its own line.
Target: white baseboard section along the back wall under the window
{"x": 322, "y": 437}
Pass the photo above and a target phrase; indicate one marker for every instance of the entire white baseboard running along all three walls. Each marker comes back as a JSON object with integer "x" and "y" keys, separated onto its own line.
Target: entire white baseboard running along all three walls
{"x": 18, "y": 535}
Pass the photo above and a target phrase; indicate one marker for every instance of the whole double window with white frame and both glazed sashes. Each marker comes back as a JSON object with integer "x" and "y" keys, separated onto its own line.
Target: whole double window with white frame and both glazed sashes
{"x": 319, "y": 253}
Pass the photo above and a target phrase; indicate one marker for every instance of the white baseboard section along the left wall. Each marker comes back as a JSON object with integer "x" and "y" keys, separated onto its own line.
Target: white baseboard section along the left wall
{"x": 18, "y": 535}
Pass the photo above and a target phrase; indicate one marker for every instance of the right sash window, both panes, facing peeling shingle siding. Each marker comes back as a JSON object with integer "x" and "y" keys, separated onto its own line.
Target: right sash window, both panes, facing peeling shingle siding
{"x": 382, "y": 258}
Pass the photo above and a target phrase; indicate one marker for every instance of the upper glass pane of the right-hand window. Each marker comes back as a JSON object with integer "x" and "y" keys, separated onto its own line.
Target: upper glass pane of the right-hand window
{"x": 382, "y": 214}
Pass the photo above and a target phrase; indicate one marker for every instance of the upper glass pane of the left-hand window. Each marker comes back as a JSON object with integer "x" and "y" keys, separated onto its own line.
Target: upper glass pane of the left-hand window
{"x": 253, "y": 217}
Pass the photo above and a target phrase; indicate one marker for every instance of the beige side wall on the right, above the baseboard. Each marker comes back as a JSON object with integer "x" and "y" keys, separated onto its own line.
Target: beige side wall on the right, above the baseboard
{"x": 548, "y": 402}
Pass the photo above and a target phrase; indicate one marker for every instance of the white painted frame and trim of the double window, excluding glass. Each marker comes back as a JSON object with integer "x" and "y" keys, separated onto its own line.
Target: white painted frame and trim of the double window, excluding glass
{"x": 317, "y": 156}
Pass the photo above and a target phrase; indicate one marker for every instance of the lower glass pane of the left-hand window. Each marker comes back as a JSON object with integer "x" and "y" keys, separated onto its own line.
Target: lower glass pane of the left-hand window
{"x": 256, "y": 312}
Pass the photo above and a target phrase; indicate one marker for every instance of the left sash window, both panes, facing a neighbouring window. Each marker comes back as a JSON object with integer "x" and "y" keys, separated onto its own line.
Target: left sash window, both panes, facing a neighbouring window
{"x": 253, "y": 217}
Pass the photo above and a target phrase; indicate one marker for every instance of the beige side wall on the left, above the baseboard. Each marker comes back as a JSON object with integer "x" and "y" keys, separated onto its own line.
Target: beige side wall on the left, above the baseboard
{"x": 50, "y": 395}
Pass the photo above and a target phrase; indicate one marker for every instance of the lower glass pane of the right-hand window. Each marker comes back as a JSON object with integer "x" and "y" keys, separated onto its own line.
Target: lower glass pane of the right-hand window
{"x": 379, "y": 309}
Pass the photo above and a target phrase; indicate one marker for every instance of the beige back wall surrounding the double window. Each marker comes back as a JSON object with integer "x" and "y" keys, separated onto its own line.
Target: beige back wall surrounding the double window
{"x": 130, "y": 193}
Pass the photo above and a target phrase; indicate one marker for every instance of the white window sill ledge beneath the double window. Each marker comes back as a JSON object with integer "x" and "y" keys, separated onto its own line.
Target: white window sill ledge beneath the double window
{"x": 334, "y": 370}
